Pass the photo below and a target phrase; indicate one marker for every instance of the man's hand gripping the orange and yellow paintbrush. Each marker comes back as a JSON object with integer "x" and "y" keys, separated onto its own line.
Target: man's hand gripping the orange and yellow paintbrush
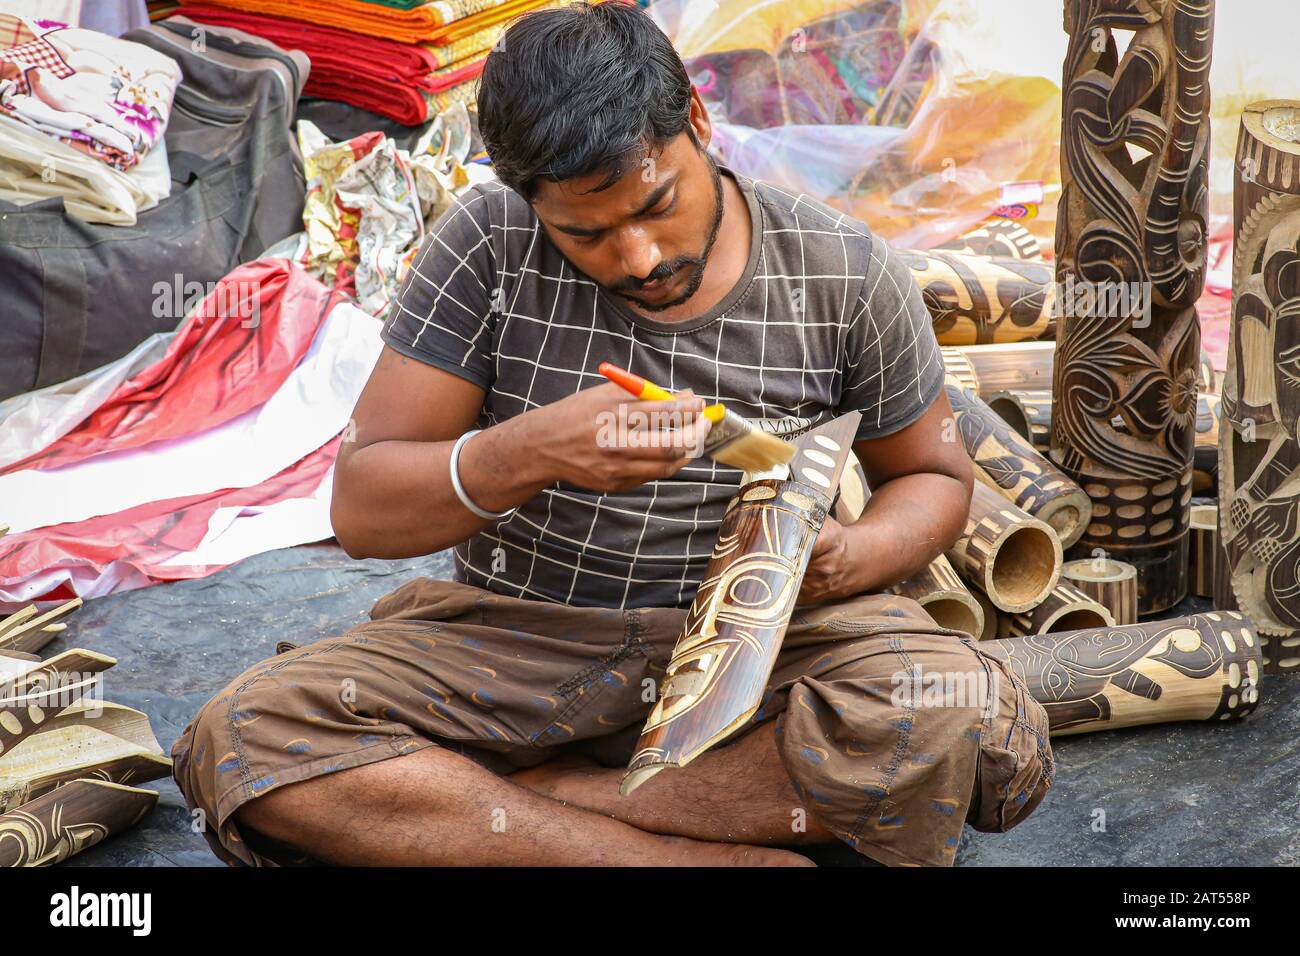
{"x": 603, "y": 440}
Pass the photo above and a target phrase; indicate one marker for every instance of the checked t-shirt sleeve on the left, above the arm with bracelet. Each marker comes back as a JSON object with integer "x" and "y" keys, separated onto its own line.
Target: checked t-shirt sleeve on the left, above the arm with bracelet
{"x": 444, "y": 313}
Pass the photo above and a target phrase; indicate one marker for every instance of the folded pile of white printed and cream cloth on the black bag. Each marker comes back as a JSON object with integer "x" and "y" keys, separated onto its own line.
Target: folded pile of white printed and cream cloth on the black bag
{"x": 83, "y": 115}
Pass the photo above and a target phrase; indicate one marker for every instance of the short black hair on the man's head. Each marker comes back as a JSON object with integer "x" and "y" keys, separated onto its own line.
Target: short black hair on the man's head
{"x": 579, "y": 90}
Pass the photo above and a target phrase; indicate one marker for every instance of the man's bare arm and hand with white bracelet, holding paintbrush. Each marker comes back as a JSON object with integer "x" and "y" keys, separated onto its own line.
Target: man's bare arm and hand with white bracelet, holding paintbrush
{"x": 393, "y": 495}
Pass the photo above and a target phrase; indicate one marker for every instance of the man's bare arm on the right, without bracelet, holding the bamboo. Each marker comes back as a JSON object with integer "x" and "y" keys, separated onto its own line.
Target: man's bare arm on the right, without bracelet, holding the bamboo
{"x": 921, "y": 488}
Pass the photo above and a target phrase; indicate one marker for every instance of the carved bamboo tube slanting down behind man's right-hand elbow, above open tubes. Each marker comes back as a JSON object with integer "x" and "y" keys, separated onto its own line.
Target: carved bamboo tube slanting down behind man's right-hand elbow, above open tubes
{"x": 1016, "y": 470}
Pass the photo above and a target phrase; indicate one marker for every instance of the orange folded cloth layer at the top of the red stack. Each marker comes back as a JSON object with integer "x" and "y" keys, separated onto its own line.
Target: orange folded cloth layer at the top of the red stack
{"x": 437, "y": 21}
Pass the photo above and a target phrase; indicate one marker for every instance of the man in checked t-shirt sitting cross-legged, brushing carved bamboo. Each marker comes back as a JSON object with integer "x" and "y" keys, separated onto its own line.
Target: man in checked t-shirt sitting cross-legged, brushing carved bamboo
{"x": 487, "y": 721}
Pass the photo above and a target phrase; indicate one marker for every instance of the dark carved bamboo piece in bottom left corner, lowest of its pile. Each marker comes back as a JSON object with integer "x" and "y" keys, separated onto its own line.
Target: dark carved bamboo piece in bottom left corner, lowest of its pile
{"x": 68, "y": 820}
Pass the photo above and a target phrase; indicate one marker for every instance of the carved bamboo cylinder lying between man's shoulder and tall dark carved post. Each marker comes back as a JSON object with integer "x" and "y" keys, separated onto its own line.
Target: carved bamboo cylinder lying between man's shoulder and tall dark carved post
{"x": 982, "y": 300}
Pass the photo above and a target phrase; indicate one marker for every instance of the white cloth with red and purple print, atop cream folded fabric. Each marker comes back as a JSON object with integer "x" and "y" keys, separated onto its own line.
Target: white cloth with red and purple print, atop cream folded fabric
{"x": 105, "y": 97}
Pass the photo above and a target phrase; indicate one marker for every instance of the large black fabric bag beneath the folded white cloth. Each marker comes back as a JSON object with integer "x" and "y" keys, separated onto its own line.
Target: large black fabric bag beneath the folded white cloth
{"x": 75, "y": 295}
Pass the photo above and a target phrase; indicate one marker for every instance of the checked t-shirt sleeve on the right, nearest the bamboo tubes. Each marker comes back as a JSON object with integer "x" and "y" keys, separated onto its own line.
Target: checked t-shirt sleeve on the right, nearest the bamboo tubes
{"x": 892, "y": 366}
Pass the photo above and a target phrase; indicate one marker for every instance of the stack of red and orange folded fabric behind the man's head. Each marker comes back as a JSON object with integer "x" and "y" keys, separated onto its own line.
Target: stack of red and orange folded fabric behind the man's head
{"x": 404, "y": 59}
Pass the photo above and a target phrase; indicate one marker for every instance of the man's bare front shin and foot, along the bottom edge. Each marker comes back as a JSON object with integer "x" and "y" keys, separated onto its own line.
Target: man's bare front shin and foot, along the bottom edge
{"x": 439, "y": 808}
